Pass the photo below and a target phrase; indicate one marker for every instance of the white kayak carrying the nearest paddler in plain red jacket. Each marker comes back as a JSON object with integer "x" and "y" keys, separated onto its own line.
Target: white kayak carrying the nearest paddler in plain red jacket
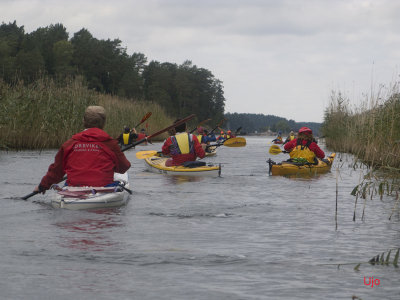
{"x": 77, "y": 198}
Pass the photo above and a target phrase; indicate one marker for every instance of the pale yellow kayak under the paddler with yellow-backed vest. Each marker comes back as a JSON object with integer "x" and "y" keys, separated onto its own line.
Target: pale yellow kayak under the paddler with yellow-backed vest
{"x": 156, "y": 164}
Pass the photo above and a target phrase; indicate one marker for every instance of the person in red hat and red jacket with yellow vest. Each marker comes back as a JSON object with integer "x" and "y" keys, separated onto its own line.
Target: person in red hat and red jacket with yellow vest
{"x": 304, "y": 147}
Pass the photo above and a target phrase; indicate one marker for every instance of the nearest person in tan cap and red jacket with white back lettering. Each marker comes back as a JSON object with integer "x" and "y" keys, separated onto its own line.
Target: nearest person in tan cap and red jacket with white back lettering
{"x": 89, "y": 158}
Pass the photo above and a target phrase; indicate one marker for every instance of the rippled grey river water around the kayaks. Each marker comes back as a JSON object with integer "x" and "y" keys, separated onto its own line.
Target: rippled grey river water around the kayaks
{"x": 244, "y": 235}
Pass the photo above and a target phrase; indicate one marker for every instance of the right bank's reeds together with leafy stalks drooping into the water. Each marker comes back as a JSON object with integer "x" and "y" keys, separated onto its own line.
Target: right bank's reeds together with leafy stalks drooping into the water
{"x": 371, "y": 132}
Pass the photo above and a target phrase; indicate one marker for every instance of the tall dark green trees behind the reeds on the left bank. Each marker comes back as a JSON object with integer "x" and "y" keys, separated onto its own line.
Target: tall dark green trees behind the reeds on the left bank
{"x": 108, "y": 68}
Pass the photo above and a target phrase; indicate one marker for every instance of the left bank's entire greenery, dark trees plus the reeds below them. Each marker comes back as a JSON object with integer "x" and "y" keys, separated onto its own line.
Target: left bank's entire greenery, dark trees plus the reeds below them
{"x": 105, "y": 68}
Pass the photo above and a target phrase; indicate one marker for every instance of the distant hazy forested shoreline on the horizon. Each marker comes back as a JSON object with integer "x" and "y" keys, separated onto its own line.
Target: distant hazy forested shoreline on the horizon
{"x": 251, "y": 123}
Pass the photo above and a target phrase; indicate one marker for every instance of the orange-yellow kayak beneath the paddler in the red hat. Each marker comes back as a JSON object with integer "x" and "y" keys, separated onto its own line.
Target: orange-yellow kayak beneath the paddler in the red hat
{"x": 291, "y": 168}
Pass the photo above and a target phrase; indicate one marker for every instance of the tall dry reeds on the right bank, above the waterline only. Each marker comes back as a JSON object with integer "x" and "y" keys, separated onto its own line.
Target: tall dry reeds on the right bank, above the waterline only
{"x": 371, "y": 131}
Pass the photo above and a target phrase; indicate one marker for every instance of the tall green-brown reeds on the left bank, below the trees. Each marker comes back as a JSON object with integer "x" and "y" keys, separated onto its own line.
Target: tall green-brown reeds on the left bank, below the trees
{"x": 48, "y": 112}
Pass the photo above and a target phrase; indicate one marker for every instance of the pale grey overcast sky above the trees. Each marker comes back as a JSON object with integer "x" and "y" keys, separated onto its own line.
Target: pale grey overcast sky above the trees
{"x": 276, "y": 57}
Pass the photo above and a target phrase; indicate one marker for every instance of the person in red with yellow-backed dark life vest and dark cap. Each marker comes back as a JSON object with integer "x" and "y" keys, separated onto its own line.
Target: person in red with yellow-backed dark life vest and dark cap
{"x": 182, "y": 147}
